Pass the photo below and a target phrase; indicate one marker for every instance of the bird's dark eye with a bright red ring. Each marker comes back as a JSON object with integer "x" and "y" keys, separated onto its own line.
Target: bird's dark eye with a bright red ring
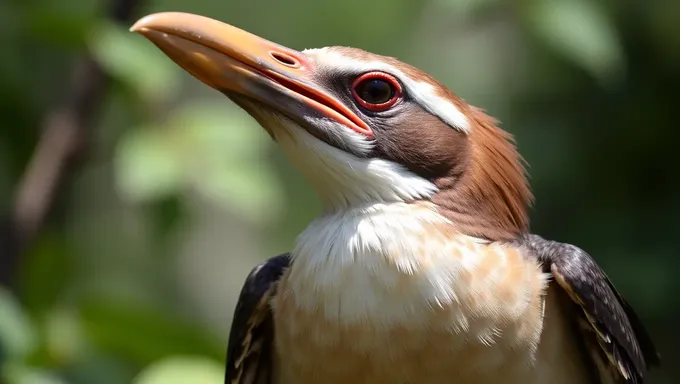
{"x": 376, "y": 91}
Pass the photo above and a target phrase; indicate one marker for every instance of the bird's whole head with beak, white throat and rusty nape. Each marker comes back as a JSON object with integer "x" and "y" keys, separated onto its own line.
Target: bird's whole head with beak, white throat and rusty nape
{"x": 362, "y": 128}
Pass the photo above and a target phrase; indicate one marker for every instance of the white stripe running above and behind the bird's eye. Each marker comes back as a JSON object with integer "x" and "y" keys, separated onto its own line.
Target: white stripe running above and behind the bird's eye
{"x": 424, "y": 93}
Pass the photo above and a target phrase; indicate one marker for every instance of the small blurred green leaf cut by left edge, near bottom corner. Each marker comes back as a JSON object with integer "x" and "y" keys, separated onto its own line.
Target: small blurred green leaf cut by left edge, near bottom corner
{"x": 17, "y": 335}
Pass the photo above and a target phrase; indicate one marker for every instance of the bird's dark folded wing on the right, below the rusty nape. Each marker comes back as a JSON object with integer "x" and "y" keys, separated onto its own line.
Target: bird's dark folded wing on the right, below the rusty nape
{"x": 620, "y": 347}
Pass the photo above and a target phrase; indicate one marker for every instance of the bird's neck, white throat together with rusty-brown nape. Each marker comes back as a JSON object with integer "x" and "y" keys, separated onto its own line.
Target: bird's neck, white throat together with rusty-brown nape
{"x": 488, "y": 198}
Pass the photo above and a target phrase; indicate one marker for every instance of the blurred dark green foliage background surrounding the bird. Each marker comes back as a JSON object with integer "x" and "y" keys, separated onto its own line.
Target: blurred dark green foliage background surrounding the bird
{"x": 135, "y": 200}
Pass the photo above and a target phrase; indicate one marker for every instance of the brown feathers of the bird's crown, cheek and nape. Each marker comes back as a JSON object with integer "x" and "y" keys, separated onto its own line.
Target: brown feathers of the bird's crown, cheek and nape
{"x": 481, "y": 177}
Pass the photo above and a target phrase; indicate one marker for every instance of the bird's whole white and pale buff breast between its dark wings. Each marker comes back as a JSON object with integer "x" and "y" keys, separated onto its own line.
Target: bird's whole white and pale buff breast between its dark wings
{"x": 395, "y": 292}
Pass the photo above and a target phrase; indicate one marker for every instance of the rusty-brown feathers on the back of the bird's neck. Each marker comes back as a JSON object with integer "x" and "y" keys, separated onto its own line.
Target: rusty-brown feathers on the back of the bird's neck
{"x": 491, "y": 196}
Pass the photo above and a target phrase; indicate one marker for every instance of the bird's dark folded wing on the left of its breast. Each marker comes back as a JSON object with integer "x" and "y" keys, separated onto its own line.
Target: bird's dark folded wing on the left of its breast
{"x": 252, "y": 330}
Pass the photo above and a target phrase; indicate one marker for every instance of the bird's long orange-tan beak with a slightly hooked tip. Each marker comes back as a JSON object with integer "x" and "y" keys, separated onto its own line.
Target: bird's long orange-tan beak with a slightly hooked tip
{"x": 234, "y": 61}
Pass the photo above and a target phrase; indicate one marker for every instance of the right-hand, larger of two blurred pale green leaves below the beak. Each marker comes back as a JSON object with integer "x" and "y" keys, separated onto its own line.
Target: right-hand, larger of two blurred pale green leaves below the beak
{"x": 230, "y": 159}
